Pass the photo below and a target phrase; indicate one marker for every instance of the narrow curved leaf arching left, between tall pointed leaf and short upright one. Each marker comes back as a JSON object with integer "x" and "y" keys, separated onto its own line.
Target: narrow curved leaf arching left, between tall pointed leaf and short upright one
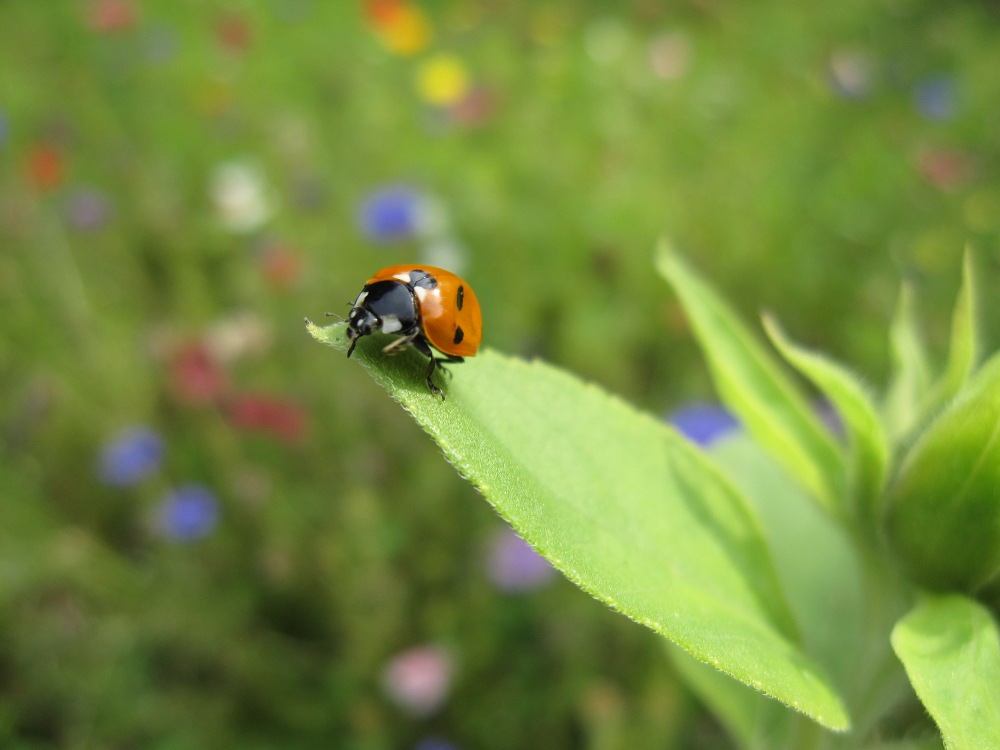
{"x": 869, "y": 444}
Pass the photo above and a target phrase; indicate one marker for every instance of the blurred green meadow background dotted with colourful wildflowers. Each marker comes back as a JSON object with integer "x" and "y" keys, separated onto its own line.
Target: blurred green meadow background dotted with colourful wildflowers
{"x": 215, "y": 533}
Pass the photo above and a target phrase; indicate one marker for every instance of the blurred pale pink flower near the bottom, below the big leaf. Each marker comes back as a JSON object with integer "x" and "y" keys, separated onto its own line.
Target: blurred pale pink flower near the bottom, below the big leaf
{"x": 418, "y": 680}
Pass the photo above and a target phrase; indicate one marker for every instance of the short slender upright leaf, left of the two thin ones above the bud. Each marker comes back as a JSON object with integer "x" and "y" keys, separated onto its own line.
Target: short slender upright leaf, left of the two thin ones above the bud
{"x": 910, "y": 380}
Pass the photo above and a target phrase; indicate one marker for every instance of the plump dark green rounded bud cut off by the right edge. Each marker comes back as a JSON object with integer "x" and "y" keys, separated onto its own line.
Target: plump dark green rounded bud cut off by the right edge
{"x": 944, "y": 510}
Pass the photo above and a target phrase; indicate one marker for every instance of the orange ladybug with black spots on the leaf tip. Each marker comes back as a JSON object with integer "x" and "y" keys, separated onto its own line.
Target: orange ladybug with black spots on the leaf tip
{"x": 428, "y": 307}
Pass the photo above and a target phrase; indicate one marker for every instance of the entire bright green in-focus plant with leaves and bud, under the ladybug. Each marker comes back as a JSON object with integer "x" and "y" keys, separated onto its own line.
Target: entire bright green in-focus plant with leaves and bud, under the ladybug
{"x": 723, "y": 553}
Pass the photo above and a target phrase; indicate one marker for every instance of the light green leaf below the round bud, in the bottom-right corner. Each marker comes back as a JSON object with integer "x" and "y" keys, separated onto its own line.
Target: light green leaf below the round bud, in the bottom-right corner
{"x": 950, "y": 648}
